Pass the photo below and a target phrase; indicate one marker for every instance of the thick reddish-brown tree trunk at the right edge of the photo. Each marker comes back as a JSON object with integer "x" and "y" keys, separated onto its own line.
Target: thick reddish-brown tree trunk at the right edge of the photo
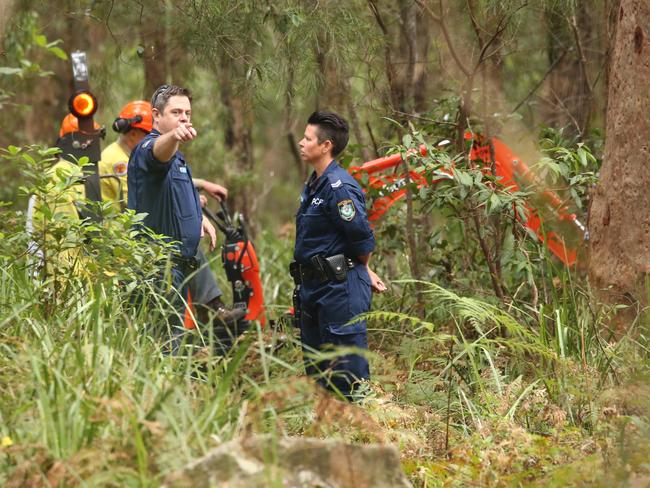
{"x": 620, "y": 213}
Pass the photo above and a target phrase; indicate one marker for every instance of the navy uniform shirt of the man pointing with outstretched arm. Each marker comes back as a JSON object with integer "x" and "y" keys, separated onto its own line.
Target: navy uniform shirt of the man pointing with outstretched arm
{"x": 166, "y": 193}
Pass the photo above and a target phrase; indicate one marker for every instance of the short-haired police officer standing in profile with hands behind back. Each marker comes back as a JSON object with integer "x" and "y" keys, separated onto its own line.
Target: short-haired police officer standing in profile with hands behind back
{"x": 334, "y": 242}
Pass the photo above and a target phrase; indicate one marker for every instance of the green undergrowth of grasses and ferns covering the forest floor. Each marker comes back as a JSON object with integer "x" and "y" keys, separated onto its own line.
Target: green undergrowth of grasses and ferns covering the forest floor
{"x": 471, "y": 389}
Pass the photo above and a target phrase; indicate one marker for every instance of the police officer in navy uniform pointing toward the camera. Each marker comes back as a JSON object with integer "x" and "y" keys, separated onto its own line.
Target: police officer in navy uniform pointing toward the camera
{"x": 160, "y": 184}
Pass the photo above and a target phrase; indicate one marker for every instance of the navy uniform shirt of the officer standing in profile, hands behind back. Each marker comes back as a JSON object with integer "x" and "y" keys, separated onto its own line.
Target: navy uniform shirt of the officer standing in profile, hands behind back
{"x": 332, "y": 217}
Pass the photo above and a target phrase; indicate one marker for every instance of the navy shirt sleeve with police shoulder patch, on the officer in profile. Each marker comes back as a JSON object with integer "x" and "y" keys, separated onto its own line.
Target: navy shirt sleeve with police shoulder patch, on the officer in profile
{"x": 348, "y": 212}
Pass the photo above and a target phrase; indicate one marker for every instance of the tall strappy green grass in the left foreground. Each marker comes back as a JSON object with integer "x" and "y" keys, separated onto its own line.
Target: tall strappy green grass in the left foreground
{"x": 91, "y": 380}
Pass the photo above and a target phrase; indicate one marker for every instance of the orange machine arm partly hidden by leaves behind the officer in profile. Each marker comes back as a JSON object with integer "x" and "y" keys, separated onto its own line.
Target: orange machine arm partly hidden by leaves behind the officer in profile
{"x": 512, "y": 174}
